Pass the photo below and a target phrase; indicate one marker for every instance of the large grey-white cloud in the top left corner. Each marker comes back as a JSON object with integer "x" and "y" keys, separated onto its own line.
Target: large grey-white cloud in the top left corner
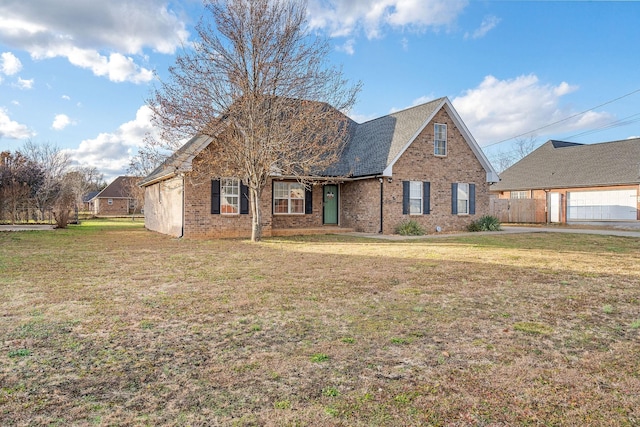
{"x": 100, "y": 36}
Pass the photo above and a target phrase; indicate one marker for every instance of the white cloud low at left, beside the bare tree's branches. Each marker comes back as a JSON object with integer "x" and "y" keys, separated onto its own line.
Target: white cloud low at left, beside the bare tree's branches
{"x": 111, "y": 152}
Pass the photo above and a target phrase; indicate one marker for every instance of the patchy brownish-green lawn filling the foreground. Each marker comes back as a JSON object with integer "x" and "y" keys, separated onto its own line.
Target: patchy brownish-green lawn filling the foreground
{"x": 106, "y": 323}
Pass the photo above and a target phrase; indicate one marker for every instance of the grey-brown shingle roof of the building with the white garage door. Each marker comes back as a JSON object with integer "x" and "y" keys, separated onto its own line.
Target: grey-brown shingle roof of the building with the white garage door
{"x": 560, "y": 164}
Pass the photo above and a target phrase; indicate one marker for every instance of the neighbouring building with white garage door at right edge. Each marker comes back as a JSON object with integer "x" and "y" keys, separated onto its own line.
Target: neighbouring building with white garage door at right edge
{"x": 577, "y": 182}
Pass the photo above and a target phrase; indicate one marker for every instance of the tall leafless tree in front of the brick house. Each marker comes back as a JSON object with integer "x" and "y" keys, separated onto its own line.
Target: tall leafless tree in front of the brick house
{"x": 258, "y": 83}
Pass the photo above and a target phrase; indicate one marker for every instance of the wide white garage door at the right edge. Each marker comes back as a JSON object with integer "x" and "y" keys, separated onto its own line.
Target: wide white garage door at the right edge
{"x": 610, "y": 205}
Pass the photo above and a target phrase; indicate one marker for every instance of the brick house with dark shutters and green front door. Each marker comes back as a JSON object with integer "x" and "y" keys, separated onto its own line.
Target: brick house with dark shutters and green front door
{"x": 420, "y": 163}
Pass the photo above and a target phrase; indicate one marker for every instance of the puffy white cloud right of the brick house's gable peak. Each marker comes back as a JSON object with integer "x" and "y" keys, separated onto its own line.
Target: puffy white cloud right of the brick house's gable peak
{"x": 501, "y": 109}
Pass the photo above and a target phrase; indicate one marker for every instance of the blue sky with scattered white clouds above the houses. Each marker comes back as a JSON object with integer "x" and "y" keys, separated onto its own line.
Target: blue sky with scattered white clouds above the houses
{"x": 77, "y": 73}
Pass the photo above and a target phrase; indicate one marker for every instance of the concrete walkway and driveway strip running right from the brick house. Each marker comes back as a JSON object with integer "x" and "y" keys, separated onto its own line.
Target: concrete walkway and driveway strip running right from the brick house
{"x": 507, "y": 229}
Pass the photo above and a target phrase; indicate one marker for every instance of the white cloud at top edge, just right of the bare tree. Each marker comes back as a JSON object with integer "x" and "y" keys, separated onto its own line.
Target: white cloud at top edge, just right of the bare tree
{"x": 345, "y": 17}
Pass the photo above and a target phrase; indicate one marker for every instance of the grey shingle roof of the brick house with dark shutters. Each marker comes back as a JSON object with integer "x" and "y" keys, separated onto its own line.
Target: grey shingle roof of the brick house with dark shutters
{"x": 372, "y": 150}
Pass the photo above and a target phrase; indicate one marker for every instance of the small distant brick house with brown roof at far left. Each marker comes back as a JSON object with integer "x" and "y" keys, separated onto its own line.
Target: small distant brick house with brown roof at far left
{"x": 117, "y": 198}
